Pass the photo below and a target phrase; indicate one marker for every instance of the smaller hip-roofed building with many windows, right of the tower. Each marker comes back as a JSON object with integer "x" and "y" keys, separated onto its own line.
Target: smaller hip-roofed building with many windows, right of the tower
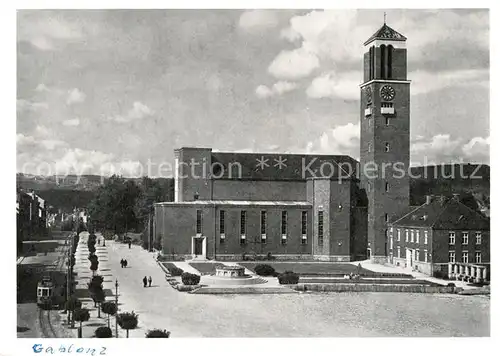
{"x": 449, "y": 232}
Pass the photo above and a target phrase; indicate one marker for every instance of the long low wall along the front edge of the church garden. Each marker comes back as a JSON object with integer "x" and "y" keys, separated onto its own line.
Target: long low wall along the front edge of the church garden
{"x": 353, "y": 287}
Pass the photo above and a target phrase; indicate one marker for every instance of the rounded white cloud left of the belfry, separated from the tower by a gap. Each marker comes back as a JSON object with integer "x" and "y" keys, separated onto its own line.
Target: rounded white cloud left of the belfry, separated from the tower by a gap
{"x": 294, "y": 64}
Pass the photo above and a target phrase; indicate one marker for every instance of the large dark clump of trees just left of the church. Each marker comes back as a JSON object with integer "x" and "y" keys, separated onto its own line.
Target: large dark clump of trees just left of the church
{"x": 121, "y": 205}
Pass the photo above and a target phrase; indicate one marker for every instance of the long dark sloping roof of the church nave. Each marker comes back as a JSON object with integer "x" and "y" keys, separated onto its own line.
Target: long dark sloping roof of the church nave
{"x": 276, "y": 166}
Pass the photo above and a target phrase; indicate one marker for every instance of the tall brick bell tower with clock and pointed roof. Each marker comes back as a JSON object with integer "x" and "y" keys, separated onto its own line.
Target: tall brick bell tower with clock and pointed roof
{"x": 385, "y": 136}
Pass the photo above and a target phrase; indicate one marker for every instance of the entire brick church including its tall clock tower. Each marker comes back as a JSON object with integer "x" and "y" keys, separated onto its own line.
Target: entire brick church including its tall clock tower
{"x": 292, "y": 206}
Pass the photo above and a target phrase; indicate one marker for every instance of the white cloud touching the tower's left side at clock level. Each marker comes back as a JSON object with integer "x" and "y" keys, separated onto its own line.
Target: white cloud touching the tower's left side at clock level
{"x": 336, "y": 85}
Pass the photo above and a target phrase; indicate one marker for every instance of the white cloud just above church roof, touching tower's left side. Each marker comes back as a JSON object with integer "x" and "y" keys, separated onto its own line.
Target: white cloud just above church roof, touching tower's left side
{"x": 342, "y": 140}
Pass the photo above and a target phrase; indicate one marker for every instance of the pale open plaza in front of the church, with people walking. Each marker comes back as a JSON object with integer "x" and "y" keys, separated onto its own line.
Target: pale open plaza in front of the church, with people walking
{"x": 290, "y": 315}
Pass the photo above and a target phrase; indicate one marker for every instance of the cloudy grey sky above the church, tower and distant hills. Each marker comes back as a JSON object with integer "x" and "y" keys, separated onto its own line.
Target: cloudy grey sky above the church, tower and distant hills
{"x": 107, "y": 91}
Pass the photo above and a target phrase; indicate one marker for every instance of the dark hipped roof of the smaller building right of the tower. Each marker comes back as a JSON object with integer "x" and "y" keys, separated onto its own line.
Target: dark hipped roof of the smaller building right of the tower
{"x": 443, "y": 214}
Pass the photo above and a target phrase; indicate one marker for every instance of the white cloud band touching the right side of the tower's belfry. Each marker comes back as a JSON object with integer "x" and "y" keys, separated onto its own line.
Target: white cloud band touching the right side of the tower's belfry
{"x": 425, "y": 81}
